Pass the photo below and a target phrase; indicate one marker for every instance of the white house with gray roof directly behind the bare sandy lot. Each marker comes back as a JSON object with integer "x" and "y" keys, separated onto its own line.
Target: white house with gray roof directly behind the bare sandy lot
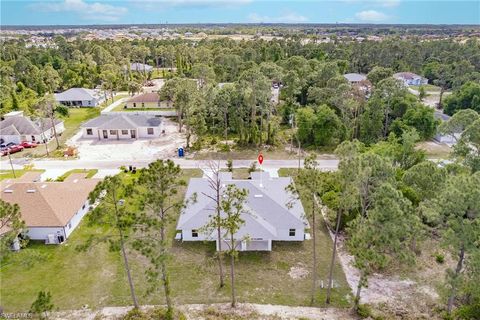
{"x": 122, "y": 127}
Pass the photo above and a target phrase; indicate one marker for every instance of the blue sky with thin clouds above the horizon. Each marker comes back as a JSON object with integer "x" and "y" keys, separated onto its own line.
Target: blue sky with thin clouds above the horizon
{"x": 58, "y": 12}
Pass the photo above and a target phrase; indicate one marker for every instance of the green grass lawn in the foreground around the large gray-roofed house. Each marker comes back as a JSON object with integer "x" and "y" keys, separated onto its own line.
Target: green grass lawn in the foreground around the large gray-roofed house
{"x": 97, "y": 278}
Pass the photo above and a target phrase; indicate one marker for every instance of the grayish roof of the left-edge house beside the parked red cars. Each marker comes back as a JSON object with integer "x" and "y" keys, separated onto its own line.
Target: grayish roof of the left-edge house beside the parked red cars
{"x": 25, "y": 126}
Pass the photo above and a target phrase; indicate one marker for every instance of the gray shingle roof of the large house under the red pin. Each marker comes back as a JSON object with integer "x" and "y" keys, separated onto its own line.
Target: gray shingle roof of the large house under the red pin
{"x": 270, "y": 207}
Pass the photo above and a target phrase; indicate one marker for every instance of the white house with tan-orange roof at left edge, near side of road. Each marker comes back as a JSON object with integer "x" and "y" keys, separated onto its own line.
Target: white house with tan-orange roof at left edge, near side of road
{"x": 51, "y": 210}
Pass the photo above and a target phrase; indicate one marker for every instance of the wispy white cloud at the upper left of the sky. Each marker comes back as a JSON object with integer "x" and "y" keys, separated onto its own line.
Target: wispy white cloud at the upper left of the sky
{"x": 87, "y": 11}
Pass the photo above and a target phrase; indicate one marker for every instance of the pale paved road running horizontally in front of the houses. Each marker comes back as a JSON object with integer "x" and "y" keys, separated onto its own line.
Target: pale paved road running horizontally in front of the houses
{"x": 187, "y": 164}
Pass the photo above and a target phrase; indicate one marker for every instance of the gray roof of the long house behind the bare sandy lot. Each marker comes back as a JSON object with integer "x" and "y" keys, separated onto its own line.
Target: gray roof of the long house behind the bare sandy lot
{"x": 120, "y": 121}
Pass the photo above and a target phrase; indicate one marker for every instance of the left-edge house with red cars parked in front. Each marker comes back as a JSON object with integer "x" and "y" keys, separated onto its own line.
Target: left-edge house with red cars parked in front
{"x": 17, "y": 128}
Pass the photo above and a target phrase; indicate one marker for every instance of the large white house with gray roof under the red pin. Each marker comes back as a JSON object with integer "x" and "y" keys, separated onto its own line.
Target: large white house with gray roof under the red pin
{"x": 271, "y": 213}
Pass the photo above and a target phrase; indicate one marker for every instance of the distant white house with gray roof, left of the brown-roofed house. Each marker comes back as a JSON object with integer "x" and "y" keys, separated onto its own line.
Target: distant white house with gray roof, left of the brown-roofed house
{"x": 80, "y": 97}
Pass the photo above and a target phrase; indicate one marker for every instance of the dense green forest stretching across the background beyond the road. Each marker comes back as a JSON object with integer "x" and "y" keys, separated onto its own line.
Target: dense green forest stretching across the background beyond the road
{"x": 314, "y": 96}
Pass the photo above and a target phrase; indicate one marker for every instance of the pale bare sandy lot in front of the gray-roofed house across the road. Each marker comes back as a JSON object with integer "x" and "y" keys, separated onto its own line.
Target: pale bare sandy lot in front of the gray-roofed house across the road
{"x": 142, "y": 149}
